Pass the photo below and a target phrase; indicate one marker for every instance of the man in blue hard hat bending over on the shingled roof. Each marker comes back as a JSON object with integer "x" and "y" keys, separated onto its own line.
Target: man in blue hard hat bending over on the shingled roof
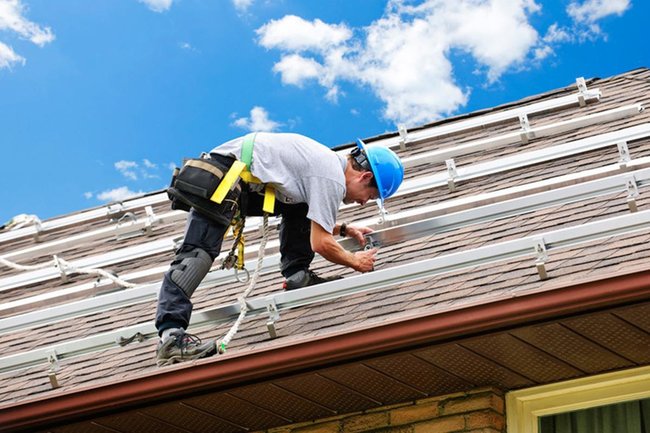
{"x": 310, "y": 181}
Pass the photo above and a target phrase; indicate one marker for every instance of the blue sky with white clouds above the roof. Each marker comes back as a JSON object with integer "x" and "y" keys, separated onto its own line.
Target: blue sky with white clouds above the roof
{"x": 98, "y": 98}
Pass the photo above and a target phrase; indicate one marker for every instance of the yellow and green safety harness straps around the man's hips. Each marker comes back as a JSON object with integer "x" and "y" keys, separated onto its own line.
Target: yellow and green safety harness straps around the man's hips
{"x": 238, "y": 170}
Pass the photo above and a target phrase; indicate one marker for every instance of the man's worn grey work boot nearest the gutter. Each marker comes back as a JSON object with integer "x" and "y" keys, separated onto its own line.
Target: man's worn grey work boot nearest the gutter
{"x": 181, "y": 346}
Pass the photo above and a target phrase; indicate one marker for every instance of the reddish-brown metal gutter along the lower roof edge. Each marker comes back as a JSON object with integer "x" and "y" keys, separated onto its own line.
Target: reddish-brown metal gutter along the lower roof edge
{"x": 206, "y": 375}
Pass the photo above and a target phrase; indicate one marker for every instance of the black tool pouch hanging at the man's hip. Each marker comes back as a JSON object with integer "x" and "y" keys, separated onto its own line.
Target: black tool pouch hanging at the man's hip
{"x": 193, "y": 185}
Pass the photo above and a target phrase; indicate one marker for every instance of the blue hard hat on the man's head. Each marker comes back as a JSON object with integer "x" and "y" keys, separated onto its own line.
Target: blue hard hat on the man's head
{"x": 386, "y": 168}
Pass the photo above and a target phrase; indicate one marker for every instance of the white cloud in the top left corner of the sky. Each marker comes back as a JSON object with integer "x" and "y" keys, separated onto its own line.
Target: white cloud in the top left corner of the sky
{"x": 12, "y": 20}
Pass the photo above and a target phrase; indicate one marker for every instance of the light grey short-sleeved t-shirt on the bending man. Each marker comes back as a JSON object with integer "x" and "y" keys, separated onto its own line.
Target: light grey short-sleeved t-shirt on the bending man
{"x": 302, "y": 170}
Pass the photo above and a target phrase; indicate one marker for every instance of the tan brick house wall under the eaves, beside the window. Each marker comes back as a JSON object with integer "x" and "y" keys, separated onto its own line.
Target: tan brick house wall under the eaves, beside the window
{"x": 477, "y": 411}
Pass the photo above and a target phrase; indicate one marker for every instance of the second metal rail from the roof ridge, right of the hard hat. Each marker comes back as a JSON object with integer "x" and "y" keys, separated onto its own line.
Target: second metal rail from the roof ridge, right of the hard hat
{"x": 522, "y": 135}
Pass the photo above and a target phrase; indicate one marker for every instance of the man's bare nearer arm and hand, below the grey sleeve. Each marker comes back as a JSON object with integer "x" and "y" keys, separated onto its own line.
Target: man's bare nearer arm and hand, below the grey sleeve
{"x": 323, "y": 243}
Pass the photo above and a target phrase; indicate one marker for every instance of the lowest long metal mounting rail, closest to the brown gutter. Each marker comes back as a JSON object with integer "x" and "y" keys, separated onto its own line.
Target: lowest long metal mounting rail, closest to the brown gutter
{"x": 380, "y": 279}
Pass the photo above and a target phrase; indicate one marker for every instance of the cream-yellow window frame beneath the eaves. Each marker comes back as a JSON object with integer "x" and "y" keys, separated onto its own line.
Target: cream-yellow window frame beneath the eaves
{"x": 525, "y": 407}
